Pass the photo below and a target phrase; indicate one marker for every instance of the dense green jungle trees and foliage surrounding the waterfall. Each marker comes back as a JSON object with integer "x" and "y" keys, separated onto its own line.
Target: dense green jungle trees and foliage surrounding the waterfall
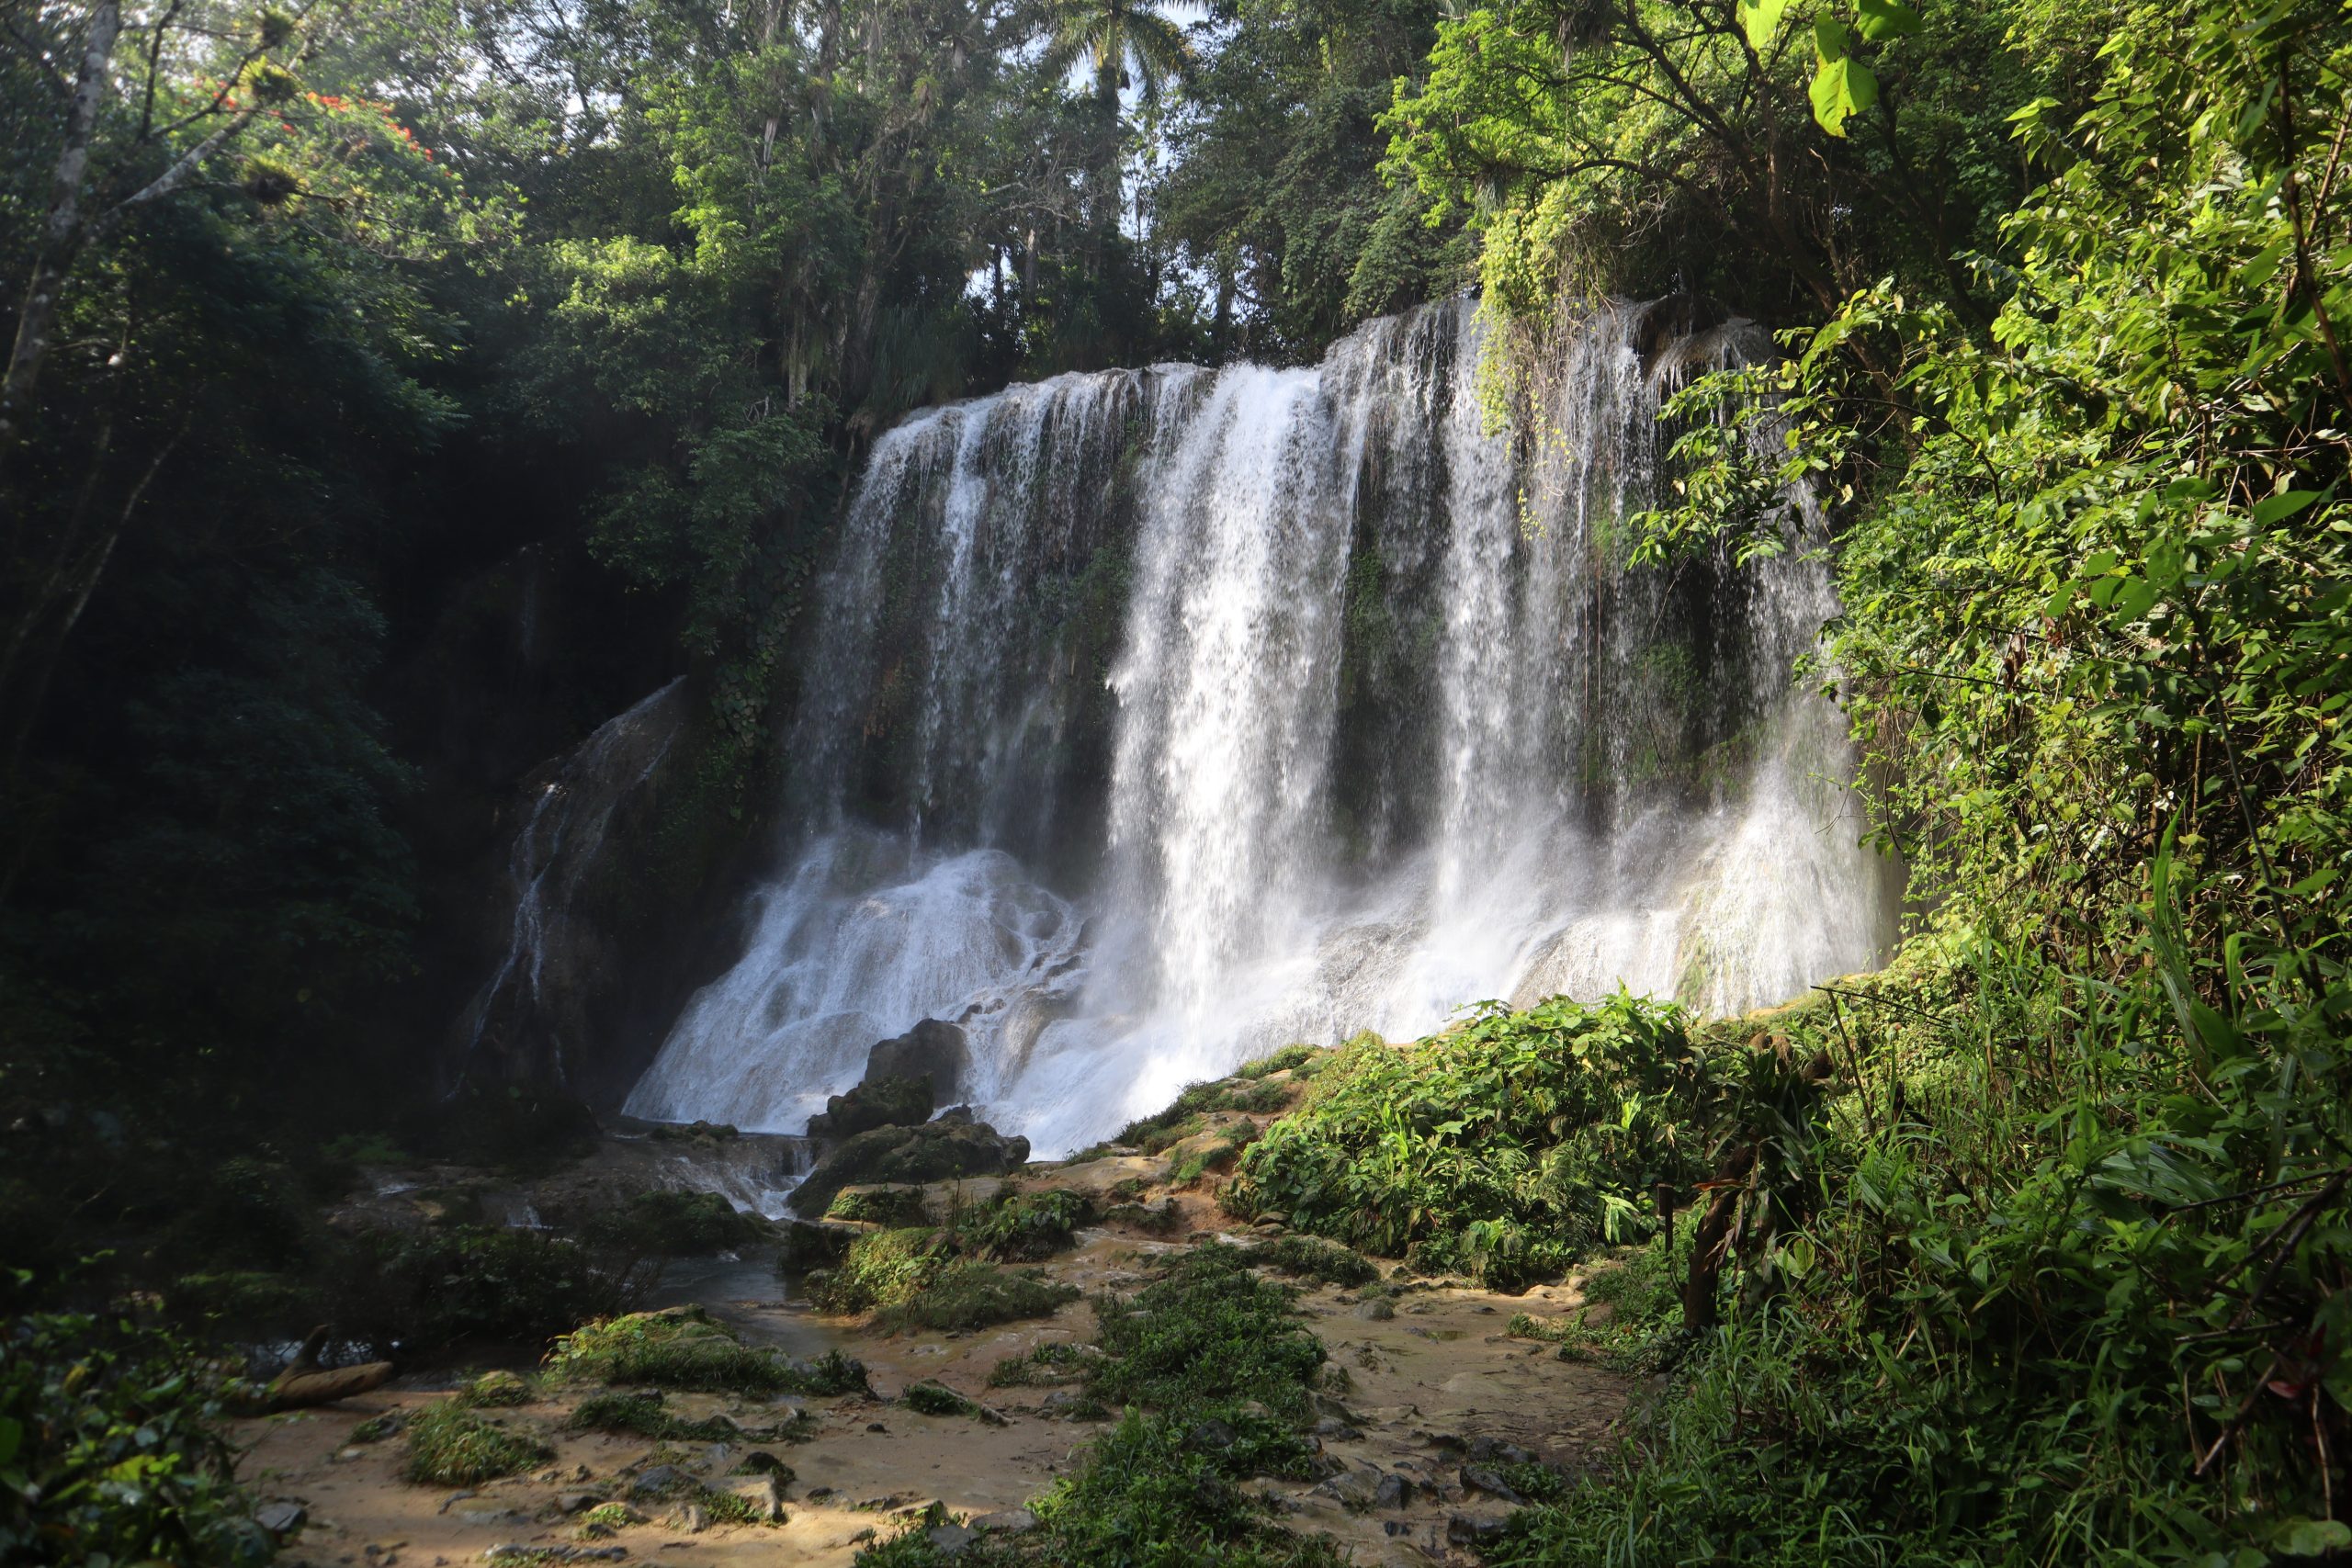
{"x": 2031, "y": 1249}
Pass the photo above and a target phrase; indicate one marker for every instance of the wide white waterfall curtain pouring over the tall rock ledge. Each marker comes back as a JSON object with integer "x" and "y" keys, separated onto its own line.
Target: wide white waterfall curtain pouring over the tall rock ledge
{"x": 1170, "y": 716}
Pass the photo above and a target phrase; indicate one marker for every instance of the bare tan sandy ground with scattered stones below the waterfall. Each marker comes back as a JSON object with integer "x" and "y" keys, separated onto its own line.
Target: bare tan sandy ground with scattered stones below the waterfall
{"x": 1424, "y": 1388}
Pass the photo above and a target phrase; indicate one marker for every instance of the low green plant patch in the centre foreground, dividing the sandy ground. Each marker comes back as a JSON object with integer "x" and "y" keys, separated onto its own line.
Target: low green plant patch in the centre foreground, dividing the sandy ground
{"x": 1217, "y": 1372}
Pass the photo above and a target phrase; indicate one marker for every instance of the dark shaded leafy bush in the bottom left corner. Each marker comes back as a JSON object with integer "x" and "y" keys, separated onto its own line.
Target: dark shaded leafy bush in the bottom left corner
{"x": 112, "y": 1449}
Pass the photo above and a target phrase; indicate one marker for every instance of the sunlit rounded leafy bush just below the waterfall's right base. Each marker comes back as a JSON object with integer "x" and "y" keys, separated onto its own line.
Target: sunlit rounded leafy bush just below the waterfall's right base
{"x": 1502, "y": 1148}
